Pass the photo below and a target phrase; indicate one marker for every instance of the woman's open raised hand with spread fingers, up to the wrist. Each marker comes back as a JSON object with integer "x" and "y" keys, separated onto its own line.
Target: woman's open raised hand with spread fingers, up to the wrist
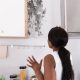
{"x": 34, "y": 64}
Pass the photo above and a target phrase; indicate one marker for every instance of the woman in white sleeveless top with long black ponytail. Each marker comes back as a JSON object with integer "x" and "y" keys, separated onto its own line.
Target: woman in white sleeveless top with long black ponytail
{"x": 57, "y": 66}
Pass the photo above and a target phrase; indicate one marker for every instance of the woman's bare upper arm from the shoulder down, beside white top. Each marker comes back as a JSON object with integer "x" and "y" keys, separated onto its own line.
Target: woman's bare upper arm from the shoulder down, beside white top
{"x": 49, "y": 68}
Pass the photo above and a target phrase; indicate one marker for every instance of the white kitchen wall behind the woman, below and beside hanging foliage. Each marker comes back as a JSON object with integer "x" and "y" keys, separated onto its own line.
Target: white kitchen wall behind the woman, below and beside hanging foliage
{"x": 17, "y": 54}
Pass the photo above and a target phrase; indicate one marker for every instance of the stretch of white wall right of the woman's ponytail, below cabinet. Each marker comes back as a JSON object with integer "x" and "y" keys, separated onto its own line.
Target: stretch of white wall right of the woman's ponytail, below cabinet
{"x": 74, "y": 47}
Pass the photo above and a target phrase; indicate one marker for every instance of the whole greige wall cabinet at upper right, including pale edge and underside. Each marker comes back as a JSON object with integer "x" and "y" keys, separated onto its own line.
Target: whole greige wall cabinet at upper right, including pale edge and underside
{"x": 72, "y": 16}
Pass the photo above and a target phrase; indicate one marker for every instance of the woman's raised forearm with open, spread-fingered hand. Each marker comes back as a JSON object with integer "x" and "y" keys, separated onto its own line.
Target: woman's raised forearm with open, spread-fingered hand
{"x": 36, "y": 67}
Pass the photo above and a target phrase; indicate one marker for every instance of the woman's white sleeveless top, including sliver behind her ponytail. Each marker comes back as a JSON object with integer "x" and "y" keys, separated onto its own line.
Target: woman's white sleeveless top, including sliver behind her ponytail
{"x": 58, "y": 67}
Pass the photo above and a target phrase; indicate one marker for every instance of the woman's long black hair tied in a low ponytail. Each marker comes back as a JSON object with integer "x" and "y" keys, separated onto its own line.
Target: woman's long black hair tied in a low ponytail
{"x": 59, "y": 38}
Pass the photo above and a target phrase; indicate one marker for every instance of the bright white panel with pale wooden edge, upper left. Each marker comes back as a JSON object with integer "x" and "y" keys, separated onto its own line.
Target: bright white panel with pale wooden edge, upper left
{"x": 13, "y": 18}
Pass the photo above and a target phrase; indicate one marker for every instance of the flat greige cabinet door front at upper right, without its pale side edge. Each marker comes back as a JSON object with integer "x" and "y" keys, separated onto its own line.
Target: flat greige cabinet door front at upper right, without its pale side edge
{"x": 73, "y": 15}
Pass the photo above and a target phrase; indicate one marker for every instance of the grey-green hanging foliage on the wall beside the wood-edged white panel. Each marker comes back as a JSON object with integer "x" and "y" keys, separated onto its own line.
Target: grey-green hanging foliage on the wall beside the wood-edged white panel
{"x": 36, "y": 14}
